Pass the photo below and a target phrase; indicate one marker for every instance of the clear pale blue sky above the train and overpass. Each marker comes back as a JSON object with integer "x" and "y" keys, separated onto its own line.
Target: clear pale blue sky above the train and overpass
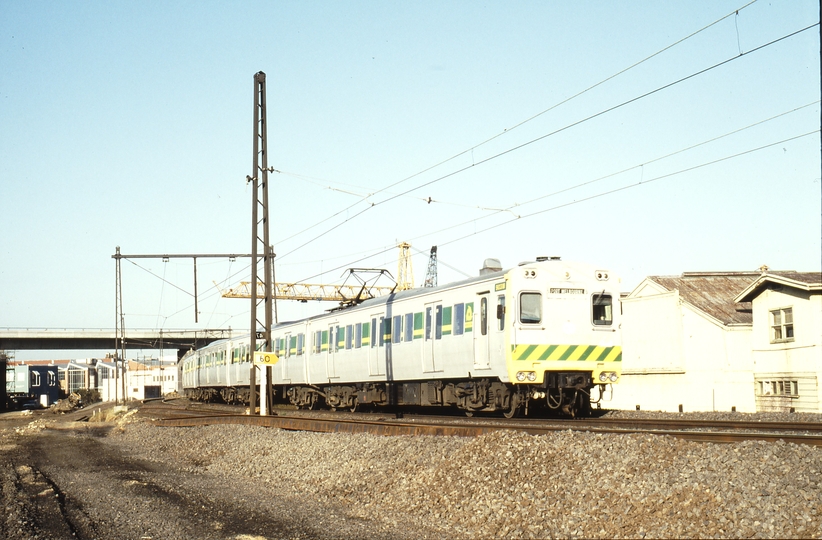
{"x": 130, "y": 124}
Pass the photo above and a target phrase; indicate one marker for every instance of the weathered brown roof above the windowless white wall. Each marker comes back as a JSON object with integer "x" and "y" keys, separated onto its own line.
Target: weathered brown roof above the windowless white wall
{"x": 713, "y": 293}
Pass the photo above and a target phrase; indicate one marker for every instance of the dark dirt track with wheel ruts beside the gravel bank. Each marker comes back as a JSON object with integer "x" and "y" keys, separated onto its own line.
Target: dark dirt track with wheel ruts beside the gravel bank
{"x": 60, "y": 478}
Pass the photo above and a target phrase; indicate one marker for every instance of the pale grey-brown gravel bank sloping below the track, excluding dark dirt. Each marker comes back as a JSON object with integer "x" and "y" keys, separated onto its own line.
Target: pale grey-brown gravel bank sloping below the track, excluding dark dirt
{"x": 503, "y": 484}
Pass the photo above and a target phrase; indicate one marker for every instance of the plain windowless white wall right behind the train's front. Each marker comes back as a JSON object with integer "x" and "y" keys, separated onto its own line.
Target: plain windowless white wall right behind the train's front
{"x": 676, "y": 355}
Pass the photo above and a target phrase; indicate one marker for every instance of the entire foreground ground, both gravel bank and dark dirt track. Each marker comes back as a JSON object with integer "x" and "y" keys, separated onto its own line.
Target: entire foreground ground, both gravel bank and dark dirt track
{"x": 130, "y": 479}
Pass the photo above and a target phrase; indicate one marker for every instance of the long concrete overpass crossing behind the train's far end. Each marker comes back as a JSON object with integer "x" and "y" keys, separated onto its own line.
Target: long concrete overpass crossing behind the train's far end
{"x": 19, "y": 339}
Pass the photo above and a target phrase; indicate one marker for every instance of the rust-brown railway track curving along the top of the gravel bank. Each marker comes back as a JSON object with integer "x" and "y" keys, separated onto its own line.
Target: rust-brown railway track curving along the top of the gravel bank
{"x": 179, "y": 415}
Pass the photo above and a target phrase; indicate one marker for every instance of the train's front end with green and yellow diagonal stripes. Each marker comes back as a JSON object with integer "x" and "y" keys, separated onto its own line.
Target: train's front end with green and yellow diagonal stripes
{"x": 563, "y": 340}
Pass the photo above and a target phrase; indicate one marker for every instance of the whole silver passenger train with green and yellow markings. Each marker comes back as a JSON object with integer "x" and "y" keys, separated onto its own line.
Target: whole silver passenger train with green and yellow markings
{"x": 542, "y": 335}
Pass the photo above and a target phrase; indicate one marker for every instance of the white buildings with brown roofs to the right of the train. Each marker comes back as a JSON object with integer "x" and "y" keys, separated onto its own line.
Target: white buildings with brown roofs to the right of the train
{"x": 707, "y": 342}
